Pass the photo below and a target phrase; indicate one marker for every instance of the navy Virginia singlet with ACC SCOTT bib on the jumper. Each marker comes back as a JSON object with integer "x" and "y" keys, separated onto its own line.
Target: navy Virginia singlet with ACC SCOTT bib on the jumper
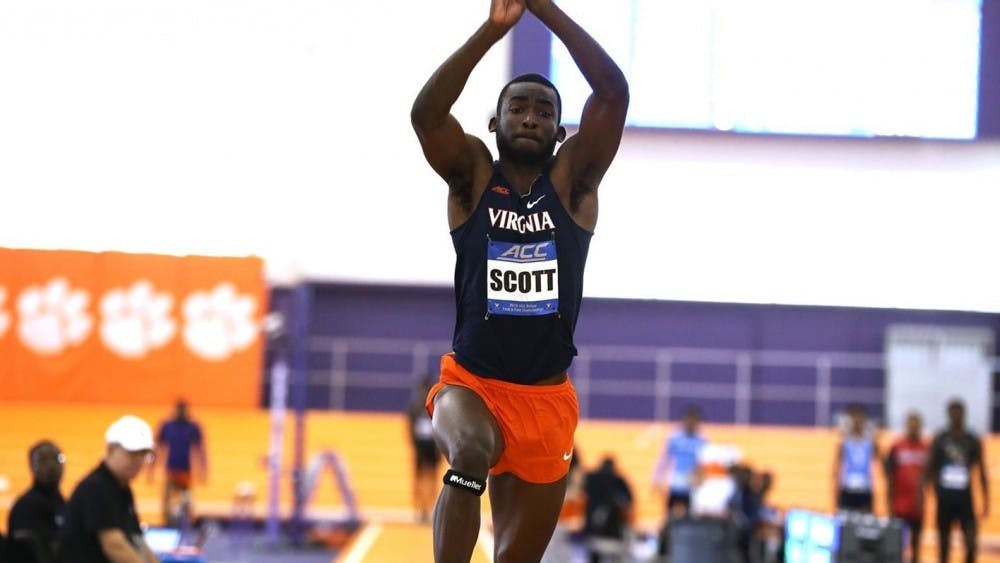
{"x": 518, "y": 283}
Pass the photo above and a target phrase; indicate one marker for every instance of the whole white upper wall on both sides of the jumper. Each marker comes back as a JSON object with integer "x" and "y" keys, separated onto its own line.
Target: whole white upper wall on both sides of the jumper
{"x": 281, "y": 129}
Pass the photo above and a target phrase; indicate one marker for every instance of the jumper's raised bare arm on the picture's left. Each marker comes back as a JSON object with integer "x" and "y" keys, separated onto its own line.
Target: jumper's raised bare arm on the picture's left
{"x": 450, "y": 152}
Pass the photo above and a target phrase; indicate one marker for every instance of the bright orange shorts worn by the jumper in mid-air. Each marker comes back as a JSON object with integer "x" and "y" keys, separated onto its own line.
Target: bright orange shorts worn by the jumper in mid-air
{"x": 537, "y": 421}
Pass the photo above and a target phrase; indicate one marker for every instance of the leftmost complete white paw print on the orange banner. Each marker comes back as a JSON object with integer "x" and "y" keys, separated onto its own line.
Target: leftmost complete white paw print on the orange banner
{"x": 53, "y": 317}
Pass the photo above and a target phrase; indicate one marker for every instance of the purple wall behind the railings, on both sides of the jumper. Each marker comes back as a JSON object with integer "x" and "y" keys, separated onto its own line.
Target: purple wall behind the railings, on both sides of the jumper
{"x": 427, "y": 314}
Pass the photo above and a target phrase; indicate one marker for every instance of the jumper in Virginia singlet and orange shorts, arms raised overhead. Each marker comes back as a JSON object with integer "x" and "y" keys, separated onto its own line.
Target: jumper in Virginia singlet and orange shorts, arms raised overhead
{"x": 521, "y": 227}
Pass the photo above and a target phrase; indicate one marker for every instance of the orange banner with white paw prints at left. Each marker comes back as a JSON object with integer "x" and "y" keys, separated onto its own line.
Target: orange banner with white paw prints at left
{"x": 139, "y": 328}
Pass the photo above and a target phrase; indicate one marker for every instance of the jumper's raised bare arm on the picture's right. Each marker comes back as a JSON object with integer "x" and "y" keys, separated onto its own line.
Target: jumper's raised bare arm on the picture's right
{"x": 588, "y": 154}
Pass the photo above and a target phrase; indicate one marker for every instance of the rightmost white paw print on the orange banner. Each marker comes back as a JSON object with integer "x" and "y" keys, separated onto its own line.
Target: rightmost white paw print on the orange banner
{"x": 220, "y": 322}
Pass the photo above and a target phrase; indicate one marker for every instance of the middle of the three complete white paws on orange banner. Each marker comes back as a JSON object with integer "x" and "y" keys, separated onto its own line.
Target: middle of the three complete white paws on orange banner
{"x": 136, "y": 320}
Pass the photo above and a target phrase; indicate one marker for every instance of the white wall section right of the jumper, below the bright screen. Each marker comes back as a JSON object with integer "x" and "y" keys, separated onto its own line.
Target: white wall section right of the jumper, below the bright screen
{"x": 896, "y": 223}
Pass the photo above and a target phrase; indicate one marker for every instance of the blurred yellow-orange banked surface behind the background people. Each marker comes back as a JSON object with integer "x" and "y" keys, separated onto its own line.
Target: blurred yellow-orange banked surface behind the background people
{"x": 376, "y": 454}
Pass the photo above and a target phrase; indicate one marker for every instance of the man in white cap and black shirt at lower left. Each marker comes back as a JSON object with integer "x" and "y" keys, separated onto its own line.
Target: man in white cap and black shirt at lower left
{"x": 101, "y": 521}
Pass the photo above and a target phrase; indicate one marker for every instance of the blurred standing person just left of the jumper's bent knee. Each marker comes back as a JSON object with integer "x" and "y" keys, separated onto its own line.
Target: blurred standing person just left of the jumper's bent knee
{"x": 427, "y": 457}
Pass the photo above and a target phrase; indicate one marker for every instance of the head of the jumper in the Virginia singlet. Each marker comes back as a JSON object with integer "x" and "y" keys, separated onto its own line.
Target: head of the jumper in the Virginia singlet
{"x": 527, "y": 126}
